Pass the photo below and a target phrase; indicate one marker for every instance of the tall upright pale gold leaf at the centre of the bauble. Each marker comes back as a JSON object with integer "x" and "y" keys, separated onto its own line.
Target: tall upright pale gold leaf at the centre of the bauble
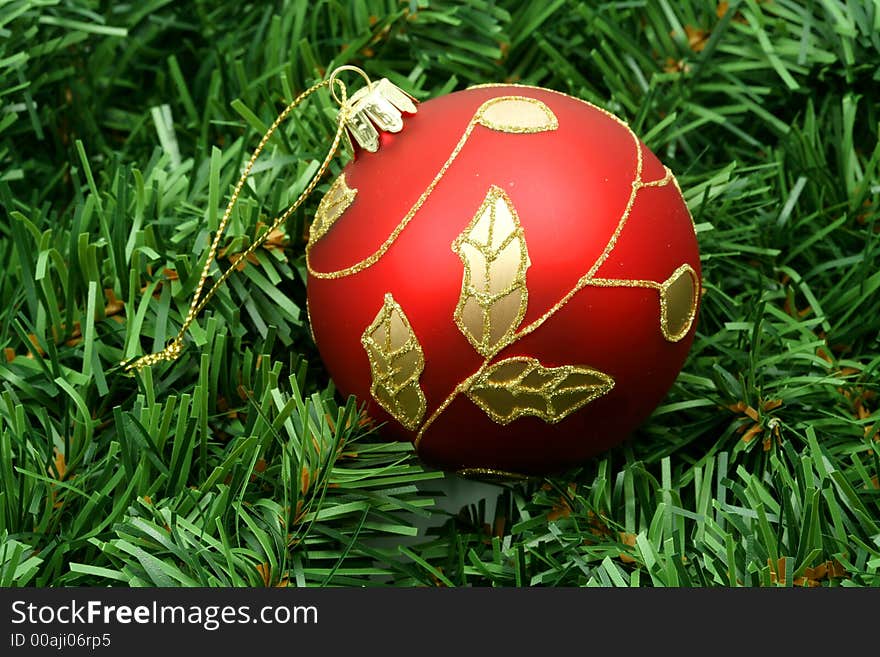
{"x": 494, "y": 295}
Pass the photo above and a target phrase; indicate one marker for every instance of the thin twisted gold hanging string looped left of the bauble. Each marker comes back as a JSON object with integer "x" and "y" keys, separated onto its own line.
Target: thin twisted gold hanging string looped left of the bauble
{"x": 175, "y": 346}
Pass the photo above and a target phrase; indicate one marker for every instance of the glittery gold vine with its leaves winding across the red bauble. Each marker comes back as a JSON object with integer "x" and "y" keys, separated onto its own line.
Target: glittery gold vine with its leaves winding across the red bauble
{"x": 518, "y": 386}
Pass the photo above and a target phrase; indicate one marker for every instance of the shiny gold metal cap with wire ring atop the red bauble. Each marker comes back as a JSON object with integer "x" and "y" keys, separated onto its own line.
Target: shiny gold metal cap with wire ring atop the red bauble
{"x": 378, "y": 106}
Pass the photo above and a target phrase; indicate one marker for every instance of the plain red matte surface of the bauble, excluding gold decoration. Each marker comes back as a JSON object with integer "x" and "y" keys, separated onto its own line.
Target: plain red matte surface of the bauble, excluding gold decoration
{"x": 570, "y": 187}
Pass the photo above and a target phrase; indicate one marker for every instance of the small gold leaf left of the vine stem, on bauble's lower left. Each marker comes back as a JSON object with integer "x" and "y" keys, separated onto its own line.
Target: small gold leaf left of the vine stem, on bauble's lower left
{"x": 396, "y": 360}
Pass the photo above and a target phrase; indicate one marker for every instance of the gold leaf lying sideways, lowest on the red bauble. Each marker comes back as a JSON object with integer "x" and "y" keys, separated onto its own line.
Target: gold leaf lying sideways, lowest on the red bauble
{"x": 521, "y": 386}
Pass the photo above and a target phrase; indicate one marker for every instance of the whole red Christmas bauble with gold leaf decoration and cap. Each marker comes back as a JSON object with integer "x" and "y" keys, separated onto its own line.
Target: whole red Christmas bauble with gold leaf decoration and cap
{"x": 505, "y": 276}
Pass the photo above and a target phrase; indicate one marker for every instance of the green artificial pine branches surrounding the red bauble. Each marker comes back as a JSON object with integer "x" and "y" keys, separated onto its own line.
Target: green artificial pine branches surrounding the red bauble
{"x": 123, "y": 126}
